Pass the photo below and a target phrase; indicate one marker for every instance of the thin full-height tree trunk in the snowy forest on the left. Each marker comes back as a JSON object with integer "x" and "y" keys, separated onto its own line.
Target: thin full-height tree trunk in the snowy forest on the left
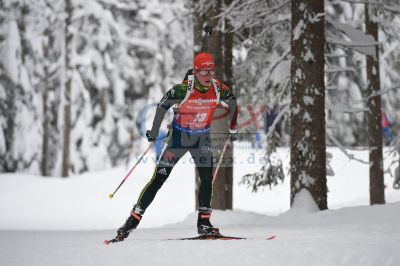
{"x": 67, "y": 92}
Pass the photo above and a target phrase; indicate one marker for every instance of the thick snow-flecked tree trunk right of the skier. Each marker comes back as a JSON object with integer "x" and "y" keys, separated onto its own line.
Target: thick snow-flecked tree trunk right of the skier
{"x": 308, "y": 150}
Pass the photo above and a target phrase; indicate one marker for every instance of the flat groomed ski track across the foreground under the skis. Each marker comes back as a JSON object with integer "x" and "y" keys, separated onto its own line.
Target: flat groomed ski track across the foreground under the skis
{"x": 291, "y": 247}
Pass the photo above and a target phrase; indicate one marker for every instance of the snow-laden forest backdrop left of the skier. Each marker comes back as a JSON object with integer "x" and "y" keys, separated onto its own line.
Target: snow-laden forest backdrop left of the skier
{"x": 123, "y": 56}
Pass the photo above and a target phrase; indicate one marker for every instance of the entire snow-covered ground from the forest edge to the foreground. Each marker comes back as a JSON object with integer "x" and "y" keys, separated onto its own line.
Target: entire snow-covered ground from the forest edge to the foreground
{"x": 55, "y": 221}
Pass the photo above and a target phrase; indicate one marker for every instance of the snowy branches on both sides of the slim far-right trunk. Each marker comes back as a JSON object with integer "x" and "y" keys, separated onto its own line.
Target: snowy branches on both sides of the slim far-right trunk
{"x": 347, "y": 45}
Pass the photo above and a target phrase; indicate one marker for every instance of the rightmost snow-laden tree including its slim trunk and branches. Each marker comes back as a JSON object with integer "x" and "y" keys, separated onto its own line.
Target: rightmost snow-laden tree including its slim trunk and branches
{"x": 348, "y": 80}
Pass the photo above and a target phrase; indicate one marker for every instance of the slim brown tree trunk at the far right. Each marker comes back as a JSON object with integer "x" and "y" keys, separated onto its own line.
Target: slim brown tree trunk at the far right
{"x": 376, "y": 186}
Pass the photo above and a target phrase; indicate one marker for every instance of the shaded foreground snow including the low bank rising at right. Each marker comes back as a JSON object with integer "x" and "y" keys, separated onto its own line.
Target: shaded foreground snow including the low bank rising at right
{"x": 349, "y": 236}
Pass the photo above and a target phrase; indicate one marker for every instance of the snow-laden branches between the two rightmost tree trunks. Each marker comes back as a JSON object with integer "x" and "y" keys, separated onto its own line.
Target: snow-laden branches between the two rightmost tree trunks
{"x": 345, "y": 60}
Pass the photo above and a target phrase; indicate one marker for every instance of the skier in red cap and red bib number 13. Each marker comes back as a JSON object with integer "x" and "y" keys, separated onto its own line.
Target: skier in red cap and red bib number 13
{"x": 197, "y": 99}
